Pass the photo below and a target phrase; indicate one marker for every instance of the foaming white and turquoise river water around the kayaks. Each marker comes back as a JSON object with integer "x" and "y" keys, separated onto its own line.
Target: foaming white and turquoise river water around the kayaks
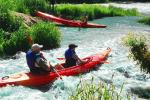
{"x": 89, "y": 41}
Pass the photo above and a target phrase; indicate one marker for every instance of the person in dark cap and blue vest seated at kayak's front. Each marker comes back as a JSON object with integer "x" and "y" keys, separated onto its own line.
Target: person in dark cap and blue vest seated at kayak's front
{"x": 71, "y": 57}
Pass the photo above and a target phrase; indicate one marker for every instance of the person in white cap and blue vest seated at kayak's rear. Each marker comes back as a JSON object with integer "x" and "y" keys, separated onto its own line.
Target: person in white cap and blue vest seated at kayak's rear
{"x": 36, "y": 61}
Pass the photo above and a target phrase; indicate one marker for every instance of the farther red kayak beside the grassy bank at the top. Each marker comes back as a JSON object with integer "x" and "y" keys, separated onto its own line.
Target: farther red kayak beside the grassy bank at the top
{"x": 67, "y": 22}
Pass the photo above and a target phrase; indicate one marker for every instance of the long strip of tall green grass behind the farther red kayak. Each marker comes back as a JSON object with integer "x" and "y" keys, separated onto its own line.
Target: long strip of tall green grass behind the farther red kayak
{"x": 94, "y": 11}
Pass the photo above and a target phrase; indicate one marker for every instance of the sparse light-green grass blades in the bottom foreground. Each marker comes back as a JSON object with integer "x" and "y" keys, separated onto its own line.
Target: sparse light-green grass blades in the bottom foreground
{"x": 92, "y": 91}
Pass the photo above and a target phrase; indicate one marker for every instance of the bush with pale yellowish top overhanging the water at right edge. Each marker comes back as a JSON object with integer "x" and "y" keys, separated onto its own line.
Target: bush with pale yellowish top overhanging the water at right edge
{"x": 139, "y": 50}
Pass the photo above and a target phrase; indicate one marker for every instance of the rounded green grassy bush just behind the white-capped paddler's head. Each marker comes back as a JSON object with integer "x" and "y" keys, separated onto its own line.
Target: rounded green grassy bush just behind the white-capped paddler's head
{"x": 46, "y": 34}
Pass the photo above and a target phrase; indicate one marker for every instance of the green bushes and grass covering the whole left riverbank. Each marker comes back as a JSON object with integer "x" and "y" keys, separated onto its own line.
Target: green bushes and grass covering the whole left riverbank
{"x": 16, "y": 27}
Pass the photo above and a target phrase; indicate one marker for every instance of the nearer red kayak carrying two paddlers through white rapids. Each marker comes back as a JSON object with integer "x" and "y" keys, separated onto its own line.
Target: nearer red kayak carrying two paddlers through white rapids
{"x": 28, "y": 79}
